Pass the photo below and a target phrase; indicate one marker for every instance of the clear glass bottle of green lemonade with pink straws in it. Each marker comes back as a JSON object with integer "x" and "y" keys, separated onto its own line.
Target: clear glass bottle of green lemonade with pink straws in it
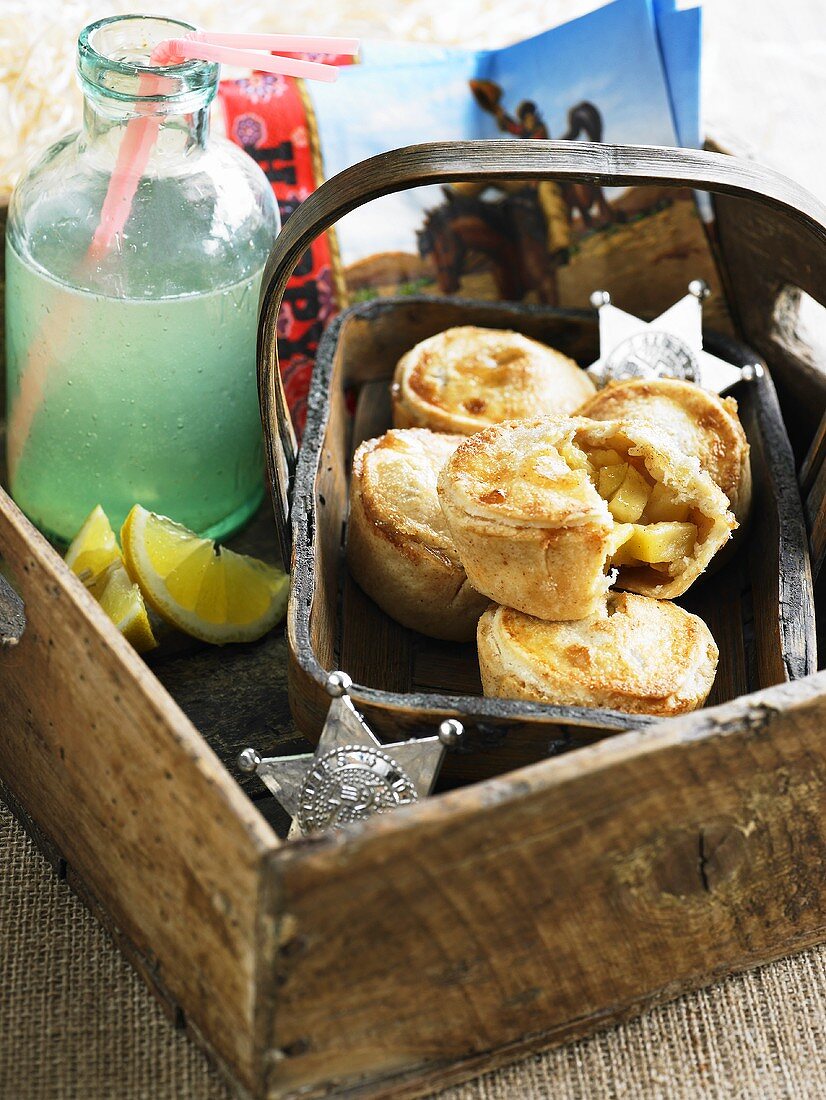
{"x": 131, "y": 373}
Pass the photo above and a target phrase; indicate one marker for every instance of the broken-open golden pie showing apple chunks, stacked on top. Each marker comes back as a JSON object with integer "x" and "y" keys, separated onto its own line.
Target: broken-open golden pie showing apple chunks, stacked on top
{"x": 546, "y": 512}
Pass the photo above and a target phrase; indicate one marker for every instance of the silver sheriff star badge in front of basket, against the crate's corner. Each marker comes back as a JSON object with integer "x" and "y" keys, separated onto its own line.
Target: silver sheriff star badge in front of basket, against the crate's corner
{"x": 351, "y": 776}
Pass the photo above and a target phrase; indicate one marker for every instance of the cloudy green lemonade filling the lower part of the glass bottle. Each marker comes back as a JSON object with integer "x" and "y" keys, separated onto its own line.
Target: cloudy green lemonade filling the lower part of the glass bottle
{"x": 129, "y": 401}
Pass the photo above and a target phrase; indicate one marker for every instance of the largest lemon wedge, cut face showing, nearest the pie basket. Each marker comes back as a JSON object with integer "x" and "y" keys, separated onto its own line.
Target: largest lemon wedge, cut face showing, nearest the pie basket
{"x": 207, "y": 591}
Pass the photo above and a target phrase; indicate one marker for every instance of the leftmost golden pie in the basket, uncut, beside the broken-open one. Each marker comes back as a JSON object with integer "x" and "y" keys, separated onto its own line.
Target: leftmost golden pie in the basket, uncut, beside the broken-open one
{"x": 400, "y": 549}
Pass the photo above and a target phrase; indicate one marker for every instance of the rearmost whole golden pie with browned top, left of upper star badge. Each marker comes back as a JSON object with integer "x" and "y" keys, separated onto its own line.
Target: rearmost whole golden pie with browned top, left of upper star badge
{"x": 467, "y": 379}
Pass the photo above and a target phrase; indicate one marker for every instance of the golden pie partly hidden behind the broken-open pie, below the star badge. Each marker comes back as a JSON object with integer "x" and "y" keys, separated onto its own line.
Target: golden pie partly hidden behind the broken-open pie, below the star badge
{"x": 699, "y": 423}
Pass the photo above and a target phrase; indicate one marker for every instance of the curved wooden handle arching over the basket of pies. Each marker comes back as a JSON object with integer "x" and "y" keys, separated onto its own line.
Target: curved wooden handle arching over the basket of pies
{"x": 501, "y": 159}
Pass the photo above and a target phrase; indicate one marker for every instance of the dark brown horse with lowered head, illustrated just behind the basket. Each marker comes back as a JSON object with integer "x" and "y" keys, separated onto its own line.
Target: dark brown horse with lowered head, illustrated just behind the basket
{"x": 510, "y": 232}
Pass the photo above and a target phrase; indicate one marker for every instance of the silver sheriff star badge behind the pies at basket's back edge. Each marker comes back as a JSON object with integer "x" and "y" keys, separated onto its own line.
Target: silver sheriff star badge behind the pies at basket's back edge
{"x": 670, "y": 347}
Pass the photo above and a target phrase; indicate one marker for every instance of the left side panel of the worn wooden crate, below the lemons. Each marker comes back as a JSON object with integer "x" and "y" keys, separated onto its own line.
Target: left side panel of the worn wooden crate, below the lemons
{"x": 133, "y": 798}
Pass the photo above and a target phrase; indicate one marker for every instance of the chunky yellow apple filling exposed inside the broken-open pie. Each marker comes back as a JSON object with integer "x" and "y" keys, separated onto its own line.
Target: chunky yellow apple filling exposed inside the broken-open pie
{"x": 654, "y": 529}
